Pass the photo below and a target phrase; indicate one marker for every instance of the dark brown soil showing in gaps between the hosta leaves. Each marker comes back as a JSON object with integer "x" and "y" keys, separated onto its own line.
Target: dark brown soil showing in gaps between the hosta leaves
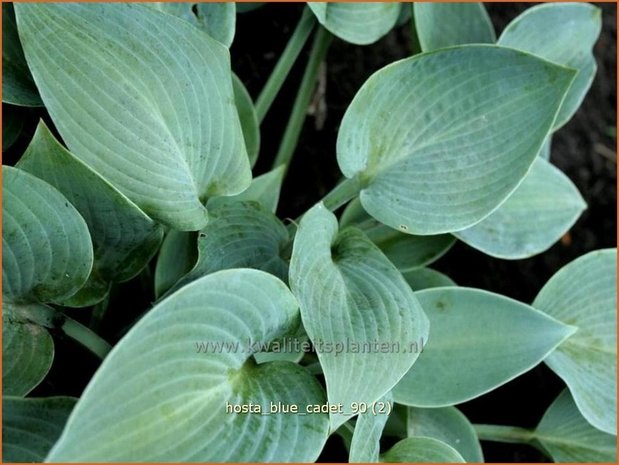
{"x": 585, "y": 149}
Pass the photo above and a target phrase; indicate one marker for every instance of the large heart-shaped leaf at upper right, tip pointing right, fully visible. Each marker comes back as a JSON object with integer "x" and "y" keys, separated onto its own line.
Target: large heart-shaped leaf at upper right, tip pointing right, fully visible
{"x": 438, "y": 141}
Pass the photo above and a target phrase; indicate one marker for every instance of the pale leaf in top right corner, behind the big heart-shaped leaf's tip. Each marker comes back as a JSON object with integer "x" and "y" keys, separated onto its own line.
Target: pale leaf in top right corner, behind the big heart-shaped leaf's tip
{"x": 563, "y": 33}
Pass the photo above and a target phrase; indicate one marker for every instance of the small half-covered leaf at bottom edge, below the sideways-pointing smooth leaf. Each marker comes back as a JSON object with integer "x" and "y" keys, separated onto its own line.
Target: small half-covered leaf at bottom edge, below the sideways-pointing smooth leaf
{"x": 449, "y": 425}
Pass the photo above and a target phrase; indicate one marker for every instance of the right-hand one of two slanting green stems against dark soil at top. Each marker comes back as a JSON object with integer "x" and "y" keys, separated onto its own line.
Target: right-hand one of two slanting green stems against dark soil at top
{"x": 302, "y": 101}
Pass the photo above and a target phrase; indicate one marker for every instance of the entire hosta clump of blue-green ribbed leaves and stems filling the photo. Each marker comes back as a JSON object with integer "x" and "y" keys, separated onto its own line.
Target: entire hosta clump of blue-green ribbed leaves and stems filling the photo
{"x": 266, "y": 337}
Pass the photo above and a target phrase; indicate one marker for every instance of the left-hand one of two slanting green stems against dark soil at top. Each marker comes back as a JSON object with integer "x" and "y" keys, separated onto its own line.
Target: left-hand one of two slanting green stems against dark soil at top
{"x": 285, "y": 63}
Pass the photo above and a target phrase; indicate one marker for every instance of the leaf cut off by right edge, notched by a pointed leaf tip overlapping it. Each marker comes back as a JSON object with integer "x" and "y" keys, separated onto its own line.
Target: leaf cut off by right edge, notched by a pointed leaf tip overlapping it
{"x": 584, "y": 294}
